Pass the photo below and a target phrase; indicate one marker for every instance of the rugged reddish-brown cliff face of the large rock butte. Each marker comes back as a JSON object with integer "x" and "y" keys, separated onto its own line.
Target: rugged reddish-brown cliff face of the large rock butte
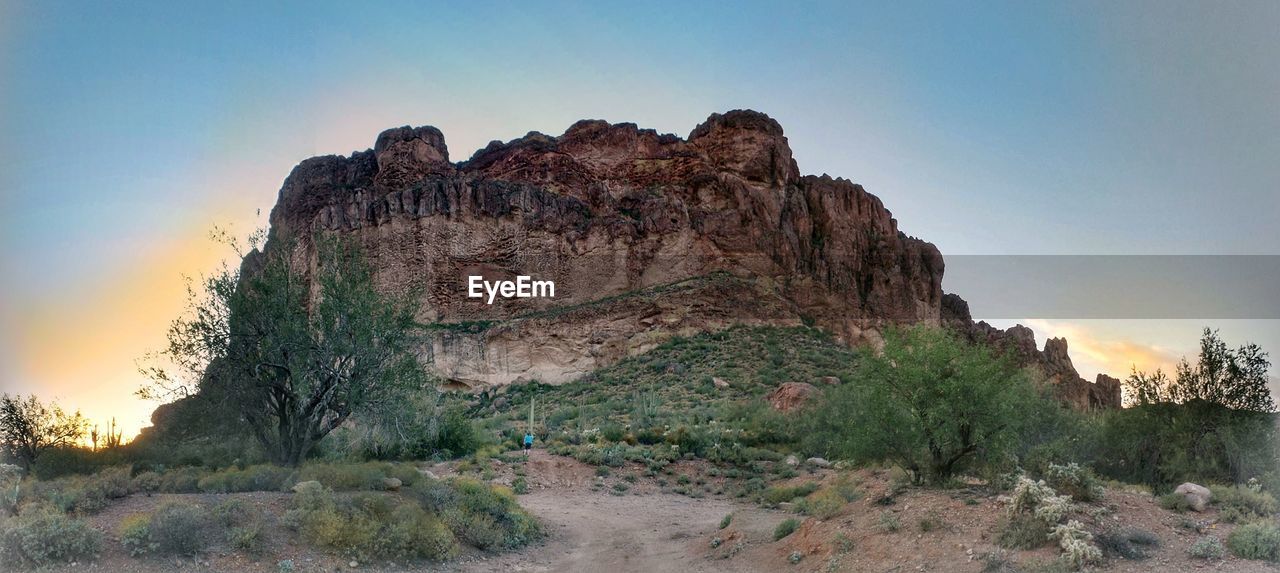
{"x": 646, "y": 236}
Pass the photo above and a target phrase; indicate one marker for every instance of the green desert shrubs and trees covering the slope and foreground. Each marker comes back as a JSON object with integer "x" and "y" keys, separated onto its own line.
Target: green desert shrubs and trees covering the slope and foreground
{"x": 316, "y": 401}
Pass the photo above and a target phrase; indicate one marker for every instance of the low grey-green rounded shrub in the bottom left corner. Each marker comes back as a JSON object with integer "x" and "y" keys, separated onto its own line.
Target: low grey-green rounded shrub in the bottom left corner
{"x": 40, "y": 538}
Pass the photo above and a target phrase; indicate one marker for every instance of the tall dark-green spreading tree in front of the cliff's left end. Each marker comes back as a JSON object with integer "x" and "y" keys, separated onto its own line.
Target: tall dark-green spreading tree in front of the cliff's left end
{"x": 294, "y": 343}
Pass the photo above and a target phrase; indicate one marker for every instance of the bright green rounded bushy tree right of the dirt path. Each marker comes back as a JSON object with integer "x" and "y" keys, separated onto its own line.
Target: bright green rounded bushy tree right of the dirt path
{"x": 930, "y": 404}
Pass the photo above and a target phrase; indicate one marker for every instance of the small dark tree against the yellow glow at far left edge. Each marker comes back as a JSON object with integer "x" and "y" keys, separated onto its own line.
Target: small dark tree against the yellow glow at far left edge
{"x": 29, "y": 428}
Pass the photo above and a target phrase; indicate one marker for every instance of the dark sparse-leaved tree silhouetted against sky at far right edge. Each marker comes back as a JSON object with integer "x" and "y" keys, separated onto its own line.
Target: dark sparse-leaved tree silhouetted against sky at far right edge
{"x": 1233, "y": 379}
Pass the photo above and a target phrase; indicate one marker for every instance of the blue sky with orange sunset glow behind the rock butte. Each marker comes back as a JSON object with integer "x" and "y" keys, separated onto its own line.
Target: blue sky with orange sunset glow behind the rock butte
{"x": 130, "y": 130}
